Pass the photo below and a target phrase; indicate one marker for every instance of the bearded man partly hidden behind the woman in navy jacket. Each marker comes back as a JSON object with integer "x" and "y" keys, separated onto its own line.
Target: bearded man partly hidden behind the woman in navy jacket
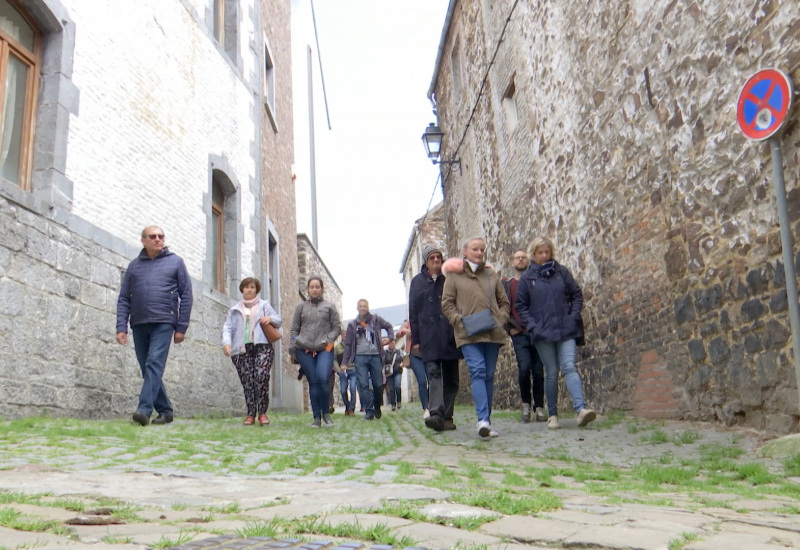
{"x": 528, "y": 362}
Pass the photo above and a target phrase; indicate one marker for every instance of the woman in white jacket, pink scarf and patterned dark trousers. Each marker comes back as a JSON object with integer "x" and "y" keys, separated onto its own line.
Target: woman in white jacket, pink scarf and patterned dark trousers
{"x": 244, "y": 341}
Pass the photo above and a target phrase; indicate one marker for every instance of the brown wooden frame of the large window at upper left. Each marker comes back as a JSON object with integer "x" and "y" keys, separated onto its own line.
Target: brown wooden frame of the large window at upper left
{"x": 9, "y": 46}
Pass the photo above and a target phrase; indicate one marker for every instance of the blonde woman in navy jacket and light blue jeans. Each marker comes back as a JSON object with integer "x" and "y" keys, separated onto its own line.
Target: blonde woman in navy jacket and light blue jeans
{"x": 549, "y": 302}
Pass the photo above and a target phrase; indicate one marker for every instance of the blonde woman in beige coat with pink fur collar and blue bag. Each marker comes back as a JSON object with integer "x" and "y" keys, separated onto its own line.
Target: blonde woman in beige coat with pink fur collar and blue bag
{"x": 472, "y": 287}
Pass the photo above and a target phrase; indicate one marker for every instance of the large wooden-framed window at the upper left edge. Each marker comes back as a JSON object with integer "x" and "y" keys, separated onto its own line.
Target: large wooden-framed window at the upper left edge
{"x": 19, "y": 57}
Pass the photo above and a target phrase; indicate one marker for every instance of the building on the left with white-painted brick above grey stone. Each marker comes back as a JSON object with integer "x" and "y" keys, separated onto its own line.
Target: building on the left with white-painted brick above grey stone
{"x": 121, "y": 115}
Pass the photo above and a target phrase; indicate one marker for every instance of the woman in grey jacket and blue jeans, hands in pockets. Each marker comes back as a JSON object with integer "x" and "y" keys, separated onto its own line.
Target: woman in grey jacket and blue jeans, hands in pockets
{"x": 315, "y": 327}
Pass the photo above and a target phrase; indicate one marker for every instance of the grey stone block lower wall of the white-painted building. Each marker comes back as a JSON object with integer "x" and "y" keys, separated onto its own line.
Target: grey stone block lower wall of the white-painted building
{"x": 59, "y": 285}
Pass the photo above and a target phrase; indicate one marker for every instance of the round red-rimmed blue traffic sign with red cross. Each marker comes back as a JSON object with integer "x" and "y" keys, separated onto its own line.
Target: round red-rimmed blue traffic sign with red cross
{"x": 763, "y": 104}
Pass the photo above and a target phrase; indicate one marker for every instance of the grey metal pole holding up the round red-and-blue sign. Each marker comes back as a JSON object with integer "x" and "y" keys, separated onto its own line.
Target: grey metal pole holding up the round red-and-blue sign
{"x": 788, "y": 253}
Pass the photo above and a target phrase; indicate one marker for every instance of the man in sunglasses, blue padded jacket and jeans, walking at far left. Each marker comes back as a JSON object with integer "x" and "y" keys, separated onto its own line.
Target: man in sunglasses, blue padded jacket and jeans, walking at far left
{"x": 156, "y": 296}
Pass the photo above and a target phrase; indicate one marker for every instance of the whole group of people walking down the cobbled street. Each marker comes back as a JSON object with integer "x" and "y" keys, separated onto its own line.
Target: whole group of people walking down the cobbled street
{"x": 459, "y": 308}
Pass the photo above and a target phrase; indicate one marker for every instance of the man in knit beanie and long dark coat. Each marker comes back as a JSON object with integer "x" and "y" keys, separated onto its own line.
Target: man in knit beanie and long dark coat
{"x": 432, "y": 336}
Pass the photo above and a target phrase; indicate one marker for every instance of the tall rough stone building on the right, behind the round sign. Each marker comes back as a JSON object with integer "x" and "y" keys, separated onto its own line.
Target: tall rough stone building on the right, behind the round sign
{"x": 610, "y": 127}
